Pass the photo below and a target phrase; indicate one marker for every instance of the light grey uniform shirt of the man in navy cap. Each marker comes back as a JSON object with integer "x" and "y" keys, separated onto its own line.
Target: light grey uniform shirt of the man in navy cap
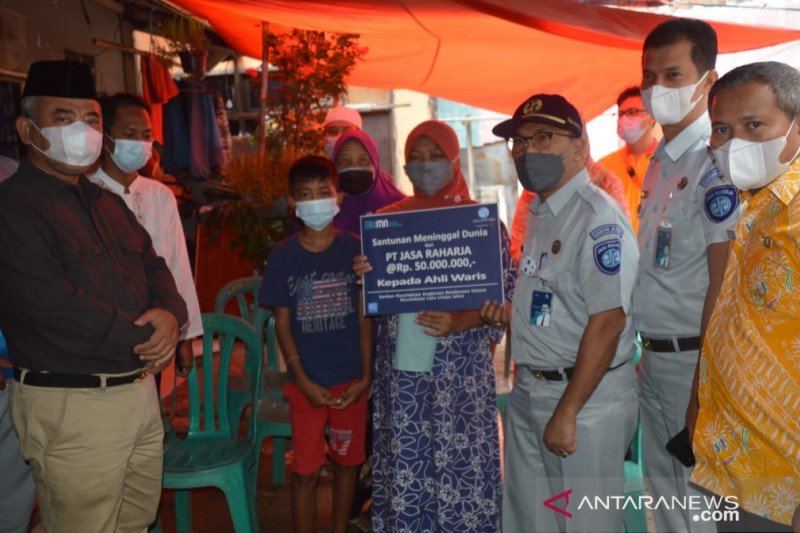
{"x": 579, "y": 249}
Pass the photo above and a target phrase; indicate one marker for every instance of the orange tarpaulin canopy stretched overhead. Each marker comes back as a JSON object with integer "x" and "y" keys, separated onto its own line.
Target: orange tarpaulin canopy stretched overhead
{"x": 487, "y": 53}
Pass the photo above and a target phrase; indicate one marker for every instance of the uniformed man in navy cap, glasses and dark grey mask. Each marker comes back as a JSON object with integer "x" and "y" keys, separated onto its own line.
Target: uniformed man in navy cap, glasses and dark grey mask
{"x": 572, "y": 412}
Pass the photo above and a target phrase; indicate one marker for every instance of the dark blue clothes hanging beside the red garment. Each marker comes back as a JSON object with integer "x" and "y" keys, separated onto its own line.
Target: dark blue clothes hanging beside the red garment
{"x": 191, "y": 136}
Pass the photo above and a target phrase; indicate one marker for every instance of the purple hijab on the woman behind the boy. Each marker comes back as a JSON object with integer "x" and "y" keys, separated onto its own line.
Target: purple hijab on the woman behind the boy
{"x": 381, "y": 194}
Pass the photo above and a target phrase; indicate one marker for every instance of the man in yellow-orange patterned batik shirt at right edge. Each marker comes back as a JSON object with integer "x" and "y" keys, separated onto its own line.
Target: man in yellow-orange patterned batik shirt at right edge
{"x": 747, "y": 431}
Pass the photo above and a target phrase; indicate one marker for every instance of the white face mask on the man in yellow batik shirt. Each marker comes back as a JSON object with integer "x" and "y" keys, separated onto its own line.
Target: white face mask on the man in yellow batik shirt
{"x": 752, "y": 165}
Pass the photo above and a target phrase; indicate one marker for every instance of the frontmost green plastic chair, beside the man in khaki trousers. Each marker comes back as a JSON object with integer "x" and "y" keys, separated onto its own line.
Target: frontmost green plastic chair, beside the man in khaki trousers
{"x": 209, "y": 456}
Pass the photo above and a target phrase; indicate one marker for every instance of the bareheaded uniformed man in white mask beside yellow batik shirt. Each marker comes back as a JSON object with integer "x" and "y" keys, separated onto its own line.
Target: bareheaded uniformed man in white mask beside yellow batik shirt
{"x": 687, "y": 214}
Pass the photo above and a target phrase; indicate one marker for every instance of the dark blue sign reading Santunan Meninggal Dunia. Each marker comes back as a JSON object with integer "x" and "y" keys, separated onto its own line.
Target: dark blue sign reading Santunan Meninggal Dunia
{"x": 436, "y": 259}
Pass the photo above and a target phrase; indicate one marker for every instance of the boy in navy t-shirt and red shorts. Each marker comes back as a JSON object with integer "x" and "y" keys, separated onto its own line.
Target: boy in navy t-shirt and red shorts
{"x": 326, "y": 342}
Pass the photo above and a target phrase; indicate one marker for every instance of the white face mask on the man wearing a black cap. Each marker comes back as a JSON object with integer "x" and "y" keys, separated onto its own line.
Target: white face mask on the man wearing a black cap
{"x": 78, "y": 144}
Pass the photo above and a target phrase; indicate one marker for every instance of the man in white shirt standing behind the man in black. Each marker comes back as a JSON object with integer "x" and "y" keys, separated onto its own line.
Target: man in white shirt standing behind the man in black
{"x": 127, "y": 146}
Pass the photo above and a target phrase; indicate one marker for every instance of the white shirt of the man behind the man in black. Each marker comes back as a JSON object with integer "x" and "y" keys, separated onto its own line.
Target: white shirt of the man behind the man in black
{"x": 156, "y": 209}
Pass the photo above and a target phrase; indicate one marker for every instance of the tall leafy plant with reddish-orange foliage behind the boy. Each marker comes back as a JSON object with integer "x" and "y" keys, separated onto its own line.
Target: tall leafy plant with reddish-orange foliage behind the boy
{"x": 312, "y": 67}
